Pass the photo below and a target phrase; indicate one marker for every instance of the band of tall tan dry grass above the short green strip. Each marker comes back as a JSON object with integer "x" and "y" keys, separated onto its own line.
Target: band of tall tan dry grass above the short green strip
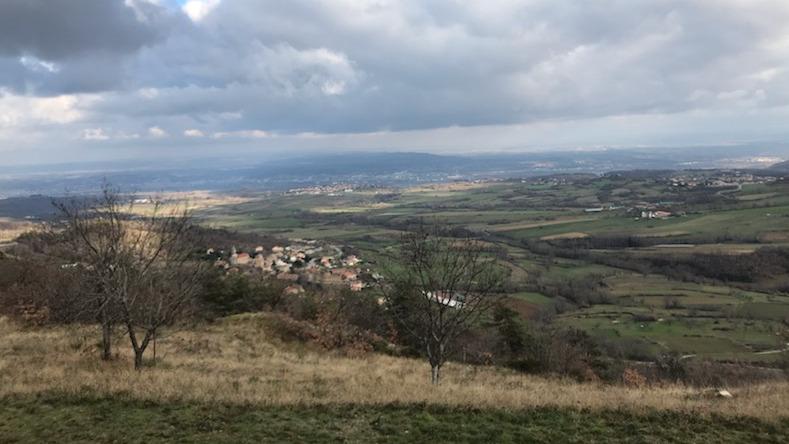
{"x": 235, "y": 362}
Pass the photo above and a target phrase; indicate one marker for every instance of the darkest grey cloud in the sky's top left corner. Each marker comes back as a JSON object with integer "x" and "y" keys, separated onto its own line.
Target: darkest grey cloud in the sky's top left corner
{"x": 50, "y": 47}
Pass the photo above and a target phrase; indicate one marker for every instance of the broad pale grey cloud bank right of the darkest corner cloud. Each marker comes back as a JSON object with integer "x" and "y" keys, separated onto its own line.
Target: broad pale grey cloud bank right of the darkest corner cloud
{"x": 370, "y": 65}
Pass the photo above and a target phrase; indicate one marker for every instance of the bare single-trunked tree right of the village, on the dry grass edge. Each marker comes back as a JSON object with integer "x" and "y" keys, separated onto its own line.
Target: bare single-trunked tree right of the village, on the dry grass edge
{"x": 437, "y": 288}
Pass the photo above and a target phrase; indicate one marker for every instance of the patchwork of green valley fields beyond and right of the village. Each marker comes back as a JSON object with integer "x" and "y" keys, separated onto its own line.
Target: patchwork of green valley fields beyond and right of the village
{"x": 711, "y": 318}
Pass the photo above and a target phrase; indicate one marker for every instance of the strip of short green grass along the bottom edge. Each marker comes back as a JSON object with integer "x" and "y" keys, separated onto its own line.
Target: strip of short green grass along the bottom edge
{"x": 87, "y": 420}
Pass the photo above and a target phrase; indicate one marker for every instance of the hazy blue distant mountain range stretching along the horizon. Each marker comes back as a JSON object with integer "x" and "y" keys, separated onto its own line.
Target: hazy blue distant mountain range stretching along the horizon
{"x": 385, "y": 169}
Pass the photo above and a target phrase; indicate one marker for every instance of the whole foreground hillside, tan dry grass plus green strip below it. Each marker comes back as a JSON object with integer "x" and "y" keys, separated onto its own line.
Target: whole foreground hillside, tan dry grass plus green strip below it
{"x": 233, "y": 381}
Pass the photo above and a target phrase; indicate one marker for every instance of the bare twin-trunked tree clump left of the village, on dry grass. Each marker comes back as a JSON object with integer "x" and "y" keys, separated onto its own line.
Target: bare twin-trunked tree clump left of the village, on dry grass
{"x": 140, "y": 268}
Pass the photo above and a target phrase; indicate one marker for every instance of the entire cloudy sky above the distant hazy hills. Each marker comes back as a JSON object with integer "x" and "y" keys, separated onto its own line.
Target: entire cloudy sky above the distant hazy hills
{"x": 113, "y": 79}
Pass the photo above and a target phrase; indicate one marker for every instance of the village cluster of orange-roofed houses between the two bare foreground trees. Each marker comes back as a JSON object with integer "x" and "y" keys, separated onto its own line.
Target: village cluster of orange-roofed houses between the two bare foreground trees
{"x": 301, "y": 263}
